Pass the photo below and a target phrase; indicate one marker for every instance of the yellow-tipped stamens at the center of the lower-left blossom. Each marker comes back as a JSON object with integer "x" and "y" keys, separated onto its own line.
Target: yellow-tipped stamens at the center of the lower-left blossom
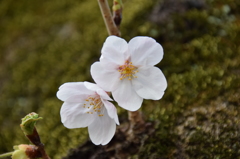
{"x": 94, "y": 105}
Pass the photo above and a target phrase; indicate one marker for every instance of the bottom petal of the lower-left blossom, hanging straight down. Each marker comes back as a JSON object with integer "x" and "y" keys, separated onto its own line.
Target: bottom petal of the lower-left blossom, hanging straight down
{"x": 102, "y": 130}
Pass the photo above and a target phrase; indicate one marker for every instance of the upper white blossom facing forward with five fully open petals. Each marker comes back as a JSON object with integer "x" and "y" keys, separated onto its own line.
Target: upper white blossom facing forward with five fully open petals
{"x": 127, "y": 70}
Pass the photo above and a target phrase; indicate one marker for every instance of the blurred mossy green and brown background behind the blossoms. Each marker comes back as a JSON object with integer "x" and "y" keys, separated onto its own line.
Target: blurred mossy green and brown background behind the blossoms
{"x": 44, "y": 44}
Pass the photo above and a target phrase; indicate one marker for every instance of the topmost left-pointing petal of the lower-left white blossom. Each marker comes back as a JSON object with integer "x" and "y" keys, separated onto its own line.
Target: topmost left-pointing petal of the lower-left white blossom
{"x": 73, "y": 92}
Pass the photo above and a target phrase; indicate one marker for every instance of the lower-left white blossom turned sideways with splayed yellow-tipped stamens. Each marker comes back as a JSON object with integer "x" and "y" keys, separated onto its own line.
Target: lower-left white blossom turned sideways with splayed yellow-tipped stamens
{"x": 87, "y": 105}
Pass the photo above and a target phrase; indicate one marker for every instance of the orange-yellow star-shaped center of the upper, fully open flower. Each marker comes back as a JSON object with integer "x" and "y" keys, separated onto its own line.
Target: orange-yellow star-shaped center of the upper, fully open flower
{"x": 128, "y": 70}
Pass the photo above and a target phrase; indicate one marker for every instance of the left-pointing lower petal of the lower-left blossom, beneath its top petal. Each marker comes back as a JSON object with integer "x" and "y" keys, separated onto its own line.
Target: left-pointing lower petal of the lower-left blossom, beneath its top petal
{"x": 74, "y": 115}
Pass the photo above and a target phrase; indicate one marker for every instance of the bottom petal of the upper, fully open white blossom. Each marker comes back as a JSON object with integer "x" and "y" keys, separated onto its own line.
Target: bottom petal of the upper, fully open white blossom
{"x": 126, "y": 97}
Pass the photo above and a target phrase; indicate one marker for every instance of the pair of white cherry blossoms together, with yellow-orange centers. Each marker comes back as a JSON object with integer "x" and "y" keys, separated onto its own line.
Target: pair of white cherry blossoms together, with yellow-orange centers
{"x": 128, "y": 72}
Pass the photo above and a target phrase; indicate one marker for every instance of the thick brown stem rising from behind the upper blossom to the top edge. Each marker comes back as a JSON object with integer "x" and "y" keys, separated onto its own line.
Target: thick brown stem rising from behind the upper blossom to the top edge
{"x": 107, "y": 16}
